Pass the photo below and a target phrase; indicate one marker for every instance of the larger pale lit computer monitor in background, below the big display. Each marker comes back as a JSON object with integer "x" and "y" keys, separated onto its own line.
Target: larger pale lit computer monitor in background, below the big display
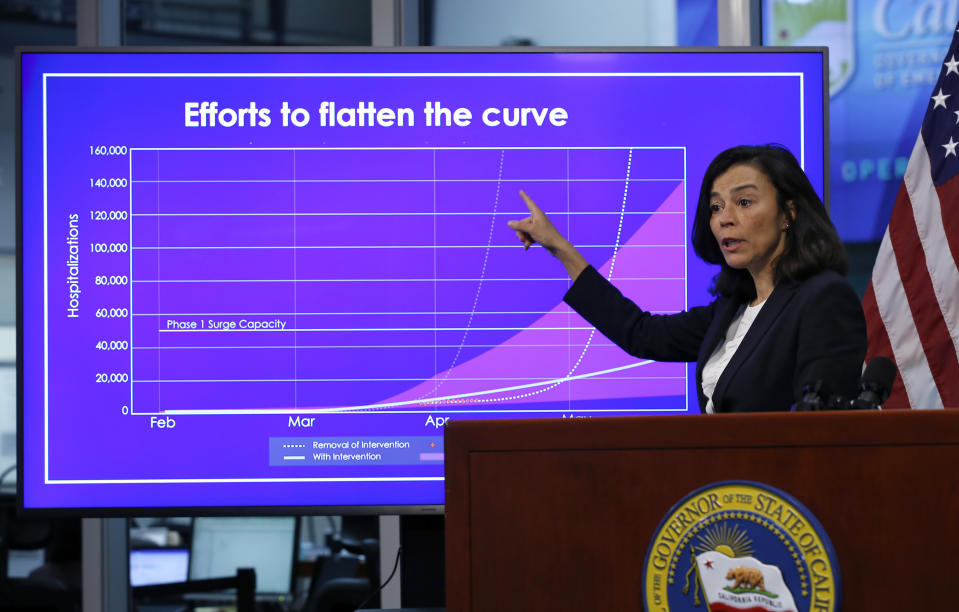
{"x": 221, "y": 545}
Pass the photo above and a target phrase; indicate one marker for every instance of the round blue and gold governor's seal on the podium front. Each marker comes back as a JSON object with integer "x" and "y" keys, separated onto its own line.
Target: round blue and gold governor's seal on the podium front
{"x": 734, "y": 546}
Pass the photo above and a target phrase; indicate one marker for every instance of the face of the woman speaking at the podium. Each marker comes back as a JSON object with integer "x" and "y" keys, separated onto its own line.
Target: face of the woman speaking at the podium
{"x": 745, "y": 219}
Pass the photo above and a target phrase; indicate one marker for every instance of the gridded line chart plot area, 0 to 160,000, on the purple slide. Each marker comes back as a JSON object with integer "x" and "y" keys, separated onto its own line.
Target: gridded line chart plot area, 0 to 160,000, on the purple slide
{"x": 385, "y": 279}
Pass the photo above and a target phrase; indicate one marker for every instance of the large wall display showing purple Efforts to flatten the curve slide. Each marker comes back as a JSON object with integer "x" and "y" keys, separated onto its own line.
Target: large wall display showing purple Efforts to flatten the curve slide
{"x": 267, "y": 279}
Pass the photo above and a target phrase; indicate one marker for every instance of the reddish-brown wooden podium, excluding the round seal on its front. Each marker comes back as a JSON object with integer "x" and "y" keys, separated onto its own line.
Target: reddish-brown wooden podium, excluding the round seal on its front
{"x": 558, "y": 514}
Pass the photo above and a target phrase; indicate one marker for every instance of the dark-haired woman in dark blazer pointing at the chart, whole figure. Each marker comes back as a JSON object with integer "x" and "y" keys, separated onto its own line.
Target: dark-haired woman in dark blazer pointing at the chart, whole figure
{"x": 784, "y": 316}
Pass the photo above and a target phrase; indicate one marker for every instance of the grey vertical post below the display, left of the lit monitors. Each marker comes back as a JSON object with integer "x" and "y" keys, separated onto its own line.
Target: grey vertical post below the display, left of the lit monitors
{"x": 106, "y": 571}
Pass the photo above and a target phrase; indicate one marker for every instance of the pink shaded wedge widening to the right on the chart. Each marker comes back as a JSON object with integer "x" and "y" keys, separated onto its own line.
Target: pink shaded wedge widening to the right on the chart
{"x": 511, "y": 361}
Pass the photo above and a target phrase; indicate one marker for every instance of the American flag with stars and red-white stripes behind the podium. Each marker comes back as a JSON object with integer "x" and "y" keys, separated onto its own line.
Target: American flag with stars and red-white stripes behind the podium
{"x": 912, "y": 303}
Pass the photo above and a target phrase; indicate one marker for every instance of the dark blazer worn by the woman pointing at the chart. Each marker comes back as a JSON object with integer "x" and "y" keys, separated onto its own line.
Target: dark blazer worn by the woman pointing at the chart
{"x": 807, "y": 331}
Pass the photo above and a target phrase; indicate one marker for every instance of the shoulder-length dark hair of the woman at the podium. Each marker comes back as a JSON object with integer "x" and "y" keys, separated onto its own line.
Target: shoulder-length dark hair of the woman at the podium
{"x": 812, "y": 244}
